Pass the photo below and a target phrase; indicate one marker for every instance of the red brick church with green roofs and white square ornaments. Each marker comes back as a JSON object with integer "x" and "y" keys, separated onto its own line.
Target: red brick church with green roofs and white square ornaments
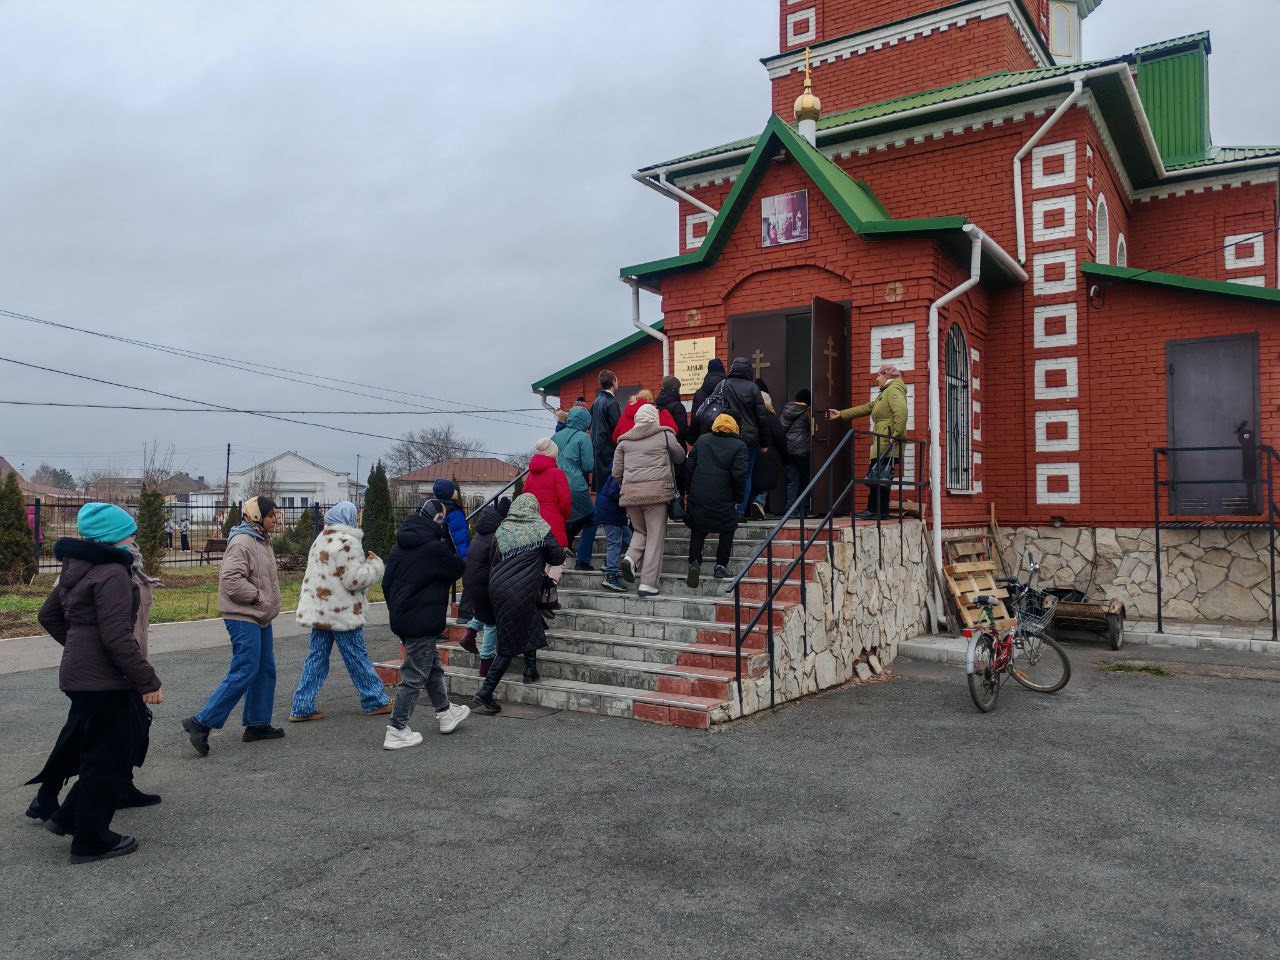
{"x": 1066, "y": 267}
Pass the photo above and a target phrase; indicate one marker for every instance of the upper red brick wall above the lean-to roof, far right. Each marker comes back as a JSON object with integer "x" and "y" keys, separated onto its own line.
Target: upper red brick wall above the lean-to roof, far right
{"x": 1195, "y": 228}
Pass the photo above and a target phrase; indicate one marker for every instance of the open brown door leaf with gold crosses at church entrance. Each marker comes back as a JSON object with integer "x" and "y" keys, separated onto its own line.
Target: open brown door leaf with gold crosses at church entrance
{"x": 830, "y": 365}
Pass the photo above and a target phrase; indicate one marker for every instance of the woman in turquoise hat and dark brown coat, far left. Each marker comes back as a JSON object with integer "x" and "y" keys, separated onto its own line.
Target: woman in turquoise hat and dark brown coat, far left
{"x": 93, "y": 614}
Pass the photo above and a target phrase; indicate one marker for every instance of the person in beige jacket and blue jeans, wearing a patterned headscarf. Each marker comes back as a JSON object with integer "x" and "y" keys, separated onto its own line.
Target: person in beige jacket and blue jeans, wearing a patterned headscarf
{"x": 249, "y": 601}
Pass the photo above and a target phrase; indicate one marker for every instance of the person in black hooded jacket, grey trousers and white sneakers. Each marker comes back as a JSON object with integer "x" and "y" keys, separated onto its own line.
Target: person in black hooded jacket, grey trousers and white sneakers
{"x": 422, "y": 569}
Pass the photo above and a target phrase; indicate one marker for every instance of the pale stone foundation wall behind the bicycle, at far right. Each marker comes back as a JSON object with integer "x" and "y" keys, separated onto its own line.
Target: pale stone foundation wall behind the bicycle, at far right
{"x": 1210, "y": 575}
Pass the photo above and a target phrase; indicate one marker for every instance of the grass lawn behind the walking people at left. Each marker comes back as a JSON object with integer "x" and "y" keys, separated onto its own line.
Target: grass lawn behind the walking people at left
{"x": 185, "y": 595}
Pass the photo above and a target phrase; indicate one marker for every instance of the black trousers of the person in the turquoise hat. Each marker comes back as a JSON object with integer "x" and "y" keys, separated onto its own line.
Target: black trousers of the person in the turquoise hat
{"x": 109, "y": 748}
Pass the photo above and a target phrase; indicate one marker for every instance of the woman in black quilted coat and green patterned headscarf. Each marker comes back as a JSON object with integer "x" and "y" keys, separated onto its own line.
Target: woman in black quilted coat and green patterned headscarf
{"x": 523, "y": 550}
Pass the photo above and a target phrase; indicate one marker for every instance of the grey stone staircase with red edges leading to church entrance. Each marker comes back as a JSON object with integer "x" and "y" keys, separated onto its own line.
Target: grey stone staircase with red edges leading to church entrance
{"x": 666, "y": 660}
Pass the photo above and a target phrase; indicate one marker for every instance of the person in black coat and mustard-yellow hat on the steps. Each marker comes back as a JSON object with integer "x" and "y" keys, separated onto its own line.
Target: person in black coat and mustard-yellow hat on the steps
{"x": 717, "y": 478}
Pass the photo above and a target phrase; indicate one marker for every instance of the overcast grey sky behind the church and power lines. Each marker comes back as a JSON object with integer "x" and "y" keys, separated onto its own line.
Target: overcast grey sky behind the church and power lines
{"x": 428, "y": 195}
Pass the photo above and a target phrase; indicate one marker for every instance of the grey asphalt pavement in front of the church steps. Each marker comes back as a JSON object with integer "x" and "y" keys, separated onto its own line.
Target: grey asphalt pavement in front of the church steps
{"x": 1127, "y": 817}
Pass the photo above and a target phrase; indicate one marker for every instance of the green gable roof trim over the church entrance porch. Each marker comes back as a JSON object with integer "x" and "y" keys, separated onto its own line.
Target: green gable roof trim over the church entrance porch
{"x": 853, "y": 200}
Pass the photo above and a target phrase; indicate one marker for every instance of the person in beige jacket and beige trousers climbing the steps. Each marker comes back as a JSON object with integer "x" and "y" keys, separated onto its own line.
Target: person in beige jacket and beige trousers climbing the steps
{"x": 644, "y": 465}
